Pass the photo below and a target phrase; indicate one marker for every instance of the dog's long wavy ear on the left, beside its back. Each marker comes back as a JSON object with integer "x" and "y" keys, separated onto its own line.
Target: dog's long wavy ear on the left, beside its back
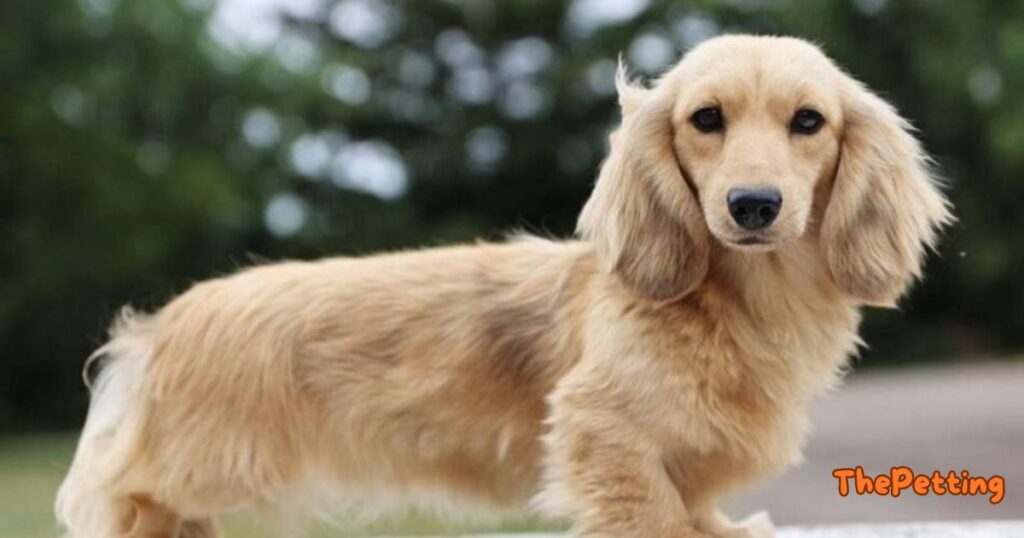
{"x": 643, "y": 217}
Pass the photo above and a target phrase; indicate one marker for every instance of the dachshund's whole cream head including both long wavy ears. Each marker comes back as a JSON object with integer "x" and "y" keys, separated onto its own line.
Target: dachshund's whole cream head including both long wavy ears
{"x": 754, "y": 143}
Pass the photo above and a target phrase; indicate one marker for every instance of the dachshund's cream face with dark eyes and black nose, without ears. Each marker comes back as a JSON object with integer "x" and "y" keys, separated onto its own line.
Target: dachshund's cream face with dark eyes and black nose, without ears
{"x": 757, "y": 131}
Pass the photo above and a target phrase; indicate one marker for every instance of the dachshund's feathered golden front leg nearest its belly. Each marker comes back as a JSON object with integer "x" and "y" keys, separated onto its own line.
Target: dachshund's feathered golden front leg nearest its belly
{"x": 607, "y": 475}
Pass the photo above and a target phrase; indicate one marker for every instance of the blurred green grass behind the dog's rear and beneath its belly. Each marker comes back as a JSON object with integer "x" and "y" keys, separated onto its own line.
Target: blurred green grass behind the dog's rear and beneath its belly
{"x": 31, "y": 470}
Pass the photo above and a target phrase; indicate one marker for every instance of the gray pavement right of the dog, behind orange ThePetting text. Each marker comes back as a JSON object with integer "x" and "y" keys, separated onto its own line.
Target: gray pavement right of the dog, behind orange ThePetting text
{"x": 968, "y": 417}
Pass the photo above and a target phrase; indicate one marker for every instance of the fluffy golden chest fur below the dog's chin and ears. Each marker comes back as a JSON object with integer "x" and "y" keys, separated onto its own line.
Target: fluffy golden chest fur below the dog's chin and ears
{"x": 740, "y": 361}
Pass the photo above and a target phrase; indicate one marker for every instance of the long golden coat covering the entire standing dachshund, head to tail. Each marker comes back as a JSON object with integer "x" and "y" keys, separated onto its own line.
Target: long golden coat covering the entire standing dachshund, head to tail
{"x": 626, "y": 382}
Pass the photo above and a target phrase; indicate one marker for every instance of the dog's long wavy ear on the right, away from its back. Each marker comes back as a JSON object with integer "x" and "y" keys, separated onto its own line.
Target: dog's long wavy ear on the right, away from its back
{"x": 885, "y": 209}
